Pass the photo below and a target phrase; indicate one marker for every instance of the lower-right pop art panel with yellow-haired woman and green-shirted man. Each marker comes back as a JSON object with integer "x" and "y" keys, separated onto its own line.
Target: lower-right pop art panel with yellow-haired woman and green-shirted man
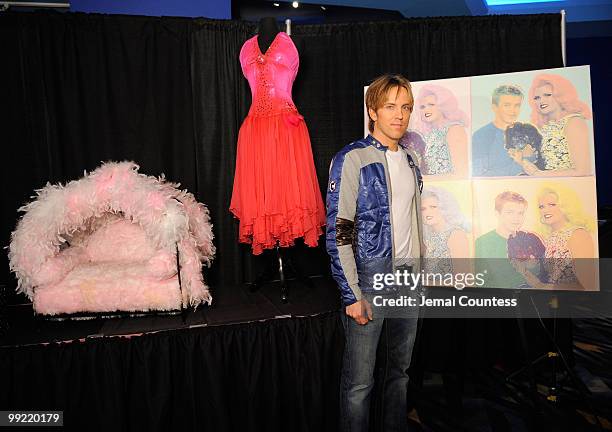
{"x": 536, "y": 233}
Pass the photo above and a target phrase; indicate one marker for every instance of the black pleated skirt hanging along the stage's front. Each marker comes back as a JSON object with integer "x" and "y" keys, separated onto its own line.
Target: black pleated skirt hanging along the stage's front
{"x": 276, "y": 375}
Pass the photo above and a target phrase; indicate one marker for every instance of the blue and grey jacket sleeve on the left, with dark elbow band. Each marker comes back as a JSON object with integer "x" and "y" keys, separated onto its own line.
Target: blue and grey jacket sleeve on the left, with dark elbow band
{"x": 342, "y": 192}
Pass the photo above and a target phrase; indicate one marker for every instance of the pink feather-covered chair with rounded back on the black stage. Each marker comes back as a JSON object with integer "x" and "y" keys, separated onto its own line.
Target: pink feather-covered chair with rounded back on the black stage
{"x": 113, "y": 241}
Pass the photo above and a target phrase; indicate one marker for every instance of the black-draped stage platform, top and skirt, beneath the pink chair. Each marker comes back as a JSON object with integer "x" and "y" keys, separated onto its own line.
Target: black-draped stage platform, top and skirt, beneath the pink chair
{"x": 248, "y": 362}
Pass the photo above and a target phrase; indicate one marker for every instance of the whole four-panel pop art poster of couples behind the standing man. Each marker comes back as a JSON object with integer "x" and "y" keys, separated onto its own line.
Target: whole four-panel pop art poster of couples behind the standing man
{"x": 526, "y": 154}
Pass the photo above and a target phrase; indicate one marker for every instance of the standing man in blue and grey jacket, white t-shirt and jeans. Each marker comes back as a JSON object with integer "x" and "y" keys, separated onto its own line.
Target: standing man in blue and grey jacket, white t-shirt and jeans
{"x": 373, "y": 218}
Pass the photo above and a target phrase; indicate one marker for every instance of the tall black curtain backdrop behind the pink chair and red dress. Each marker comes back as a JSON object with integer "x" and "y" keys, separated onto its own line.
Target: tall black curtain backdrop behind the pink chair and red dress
{"x": 169, "y": 94}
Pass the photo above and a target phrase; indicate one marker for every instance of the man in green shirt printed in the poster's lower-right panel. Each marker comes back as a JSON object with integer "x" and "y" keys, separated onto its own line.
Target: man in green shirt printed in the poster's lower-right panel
{"x": 492, "y": 248}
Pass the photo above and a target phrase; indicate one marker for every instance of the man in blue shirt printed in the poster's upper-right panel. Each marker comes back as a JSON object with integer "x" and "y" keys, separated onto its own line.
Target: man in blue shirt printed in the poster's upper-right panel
{"x": 489, "y": 156}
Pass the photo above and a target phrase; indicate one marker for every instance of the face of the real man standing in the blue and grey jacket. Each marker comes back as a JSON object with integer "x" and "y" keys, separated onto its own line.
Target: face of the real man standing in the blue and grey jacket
{"x": 391, "y": 119}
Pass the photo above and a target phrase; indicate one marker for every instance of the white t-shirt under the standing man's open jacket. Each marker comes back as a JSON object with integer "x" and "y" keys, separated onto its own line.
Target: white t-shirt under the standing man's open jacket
{"x": 402, "y": 194}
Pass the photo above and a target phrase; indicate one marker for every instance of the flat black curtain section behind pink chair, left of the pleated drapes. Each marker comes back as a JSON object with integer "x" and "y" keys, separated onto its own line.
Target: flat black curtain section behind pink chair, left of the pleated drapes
{"x": 79, "y": 89}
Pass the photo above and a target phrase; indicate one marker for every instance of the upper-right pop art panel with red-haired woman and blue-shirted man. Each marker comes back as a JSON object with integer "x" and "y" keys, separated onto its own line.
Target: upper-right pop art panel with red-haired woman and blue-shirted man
{"x": 537, "y": 123}
